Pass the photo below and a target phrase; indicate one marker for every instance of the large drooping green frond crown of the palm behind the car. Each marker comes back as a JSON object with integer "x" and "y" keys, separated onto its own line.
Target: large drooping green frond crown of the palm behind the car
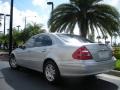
{"x": 89, "y": 15}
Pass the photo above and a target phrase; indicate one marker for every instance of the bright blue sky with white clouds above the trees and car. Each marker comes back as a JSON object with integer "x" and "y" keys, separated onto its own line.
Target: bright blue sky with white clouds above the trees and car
{"x": 35, "y": 11}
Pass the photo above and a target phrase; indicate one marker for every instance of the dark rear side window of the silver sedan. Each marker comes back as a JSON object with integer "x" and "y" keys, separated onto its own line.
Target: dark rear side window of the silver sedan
{"x": 43, "y": 40}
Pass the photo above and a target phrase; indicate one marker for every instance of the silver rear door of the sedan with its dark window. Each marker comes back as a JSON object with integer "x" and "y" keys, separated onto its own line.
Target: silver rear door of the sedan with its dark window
{"x": 41, "y": 48}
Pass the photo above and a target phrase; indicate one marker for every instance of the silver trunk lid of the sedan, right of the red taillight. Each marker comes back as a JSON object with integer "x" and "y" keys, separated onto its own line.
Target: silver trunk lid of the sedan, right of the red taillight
{"x": 100, "y": 52}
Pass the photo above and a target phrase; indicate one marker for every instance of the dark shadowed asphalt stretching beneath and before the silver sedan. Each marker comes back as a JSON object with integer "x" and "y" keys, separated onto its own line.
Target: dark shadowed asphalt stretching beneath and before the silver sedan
{"x": 26, "y": 79}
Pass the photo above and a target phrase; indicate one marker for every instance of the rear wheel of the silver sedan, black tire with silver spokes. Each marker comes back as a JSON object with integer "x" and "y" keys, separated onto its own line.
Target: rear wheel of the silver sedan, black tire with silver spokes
{"x": 51, "y": 72}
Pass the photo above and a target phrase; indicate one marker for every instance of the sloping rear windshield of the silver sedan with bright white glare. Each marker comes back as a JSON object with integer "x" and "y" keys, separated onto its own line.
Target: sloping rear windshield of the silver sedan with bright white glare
{"x": 73, "y": 39}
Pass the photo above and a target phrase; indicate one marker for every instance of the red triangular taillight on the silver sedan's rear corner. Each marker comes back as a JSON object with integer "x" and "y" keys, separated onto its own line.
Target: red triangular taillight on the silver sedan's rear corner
{"x": 82, "y": 54}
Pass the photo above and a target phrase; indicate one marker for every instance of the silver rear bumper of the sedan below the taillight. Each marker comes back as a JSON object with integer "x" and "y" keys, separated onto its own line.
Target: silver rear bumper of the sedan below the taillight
{"x": 86, "y": 68}
